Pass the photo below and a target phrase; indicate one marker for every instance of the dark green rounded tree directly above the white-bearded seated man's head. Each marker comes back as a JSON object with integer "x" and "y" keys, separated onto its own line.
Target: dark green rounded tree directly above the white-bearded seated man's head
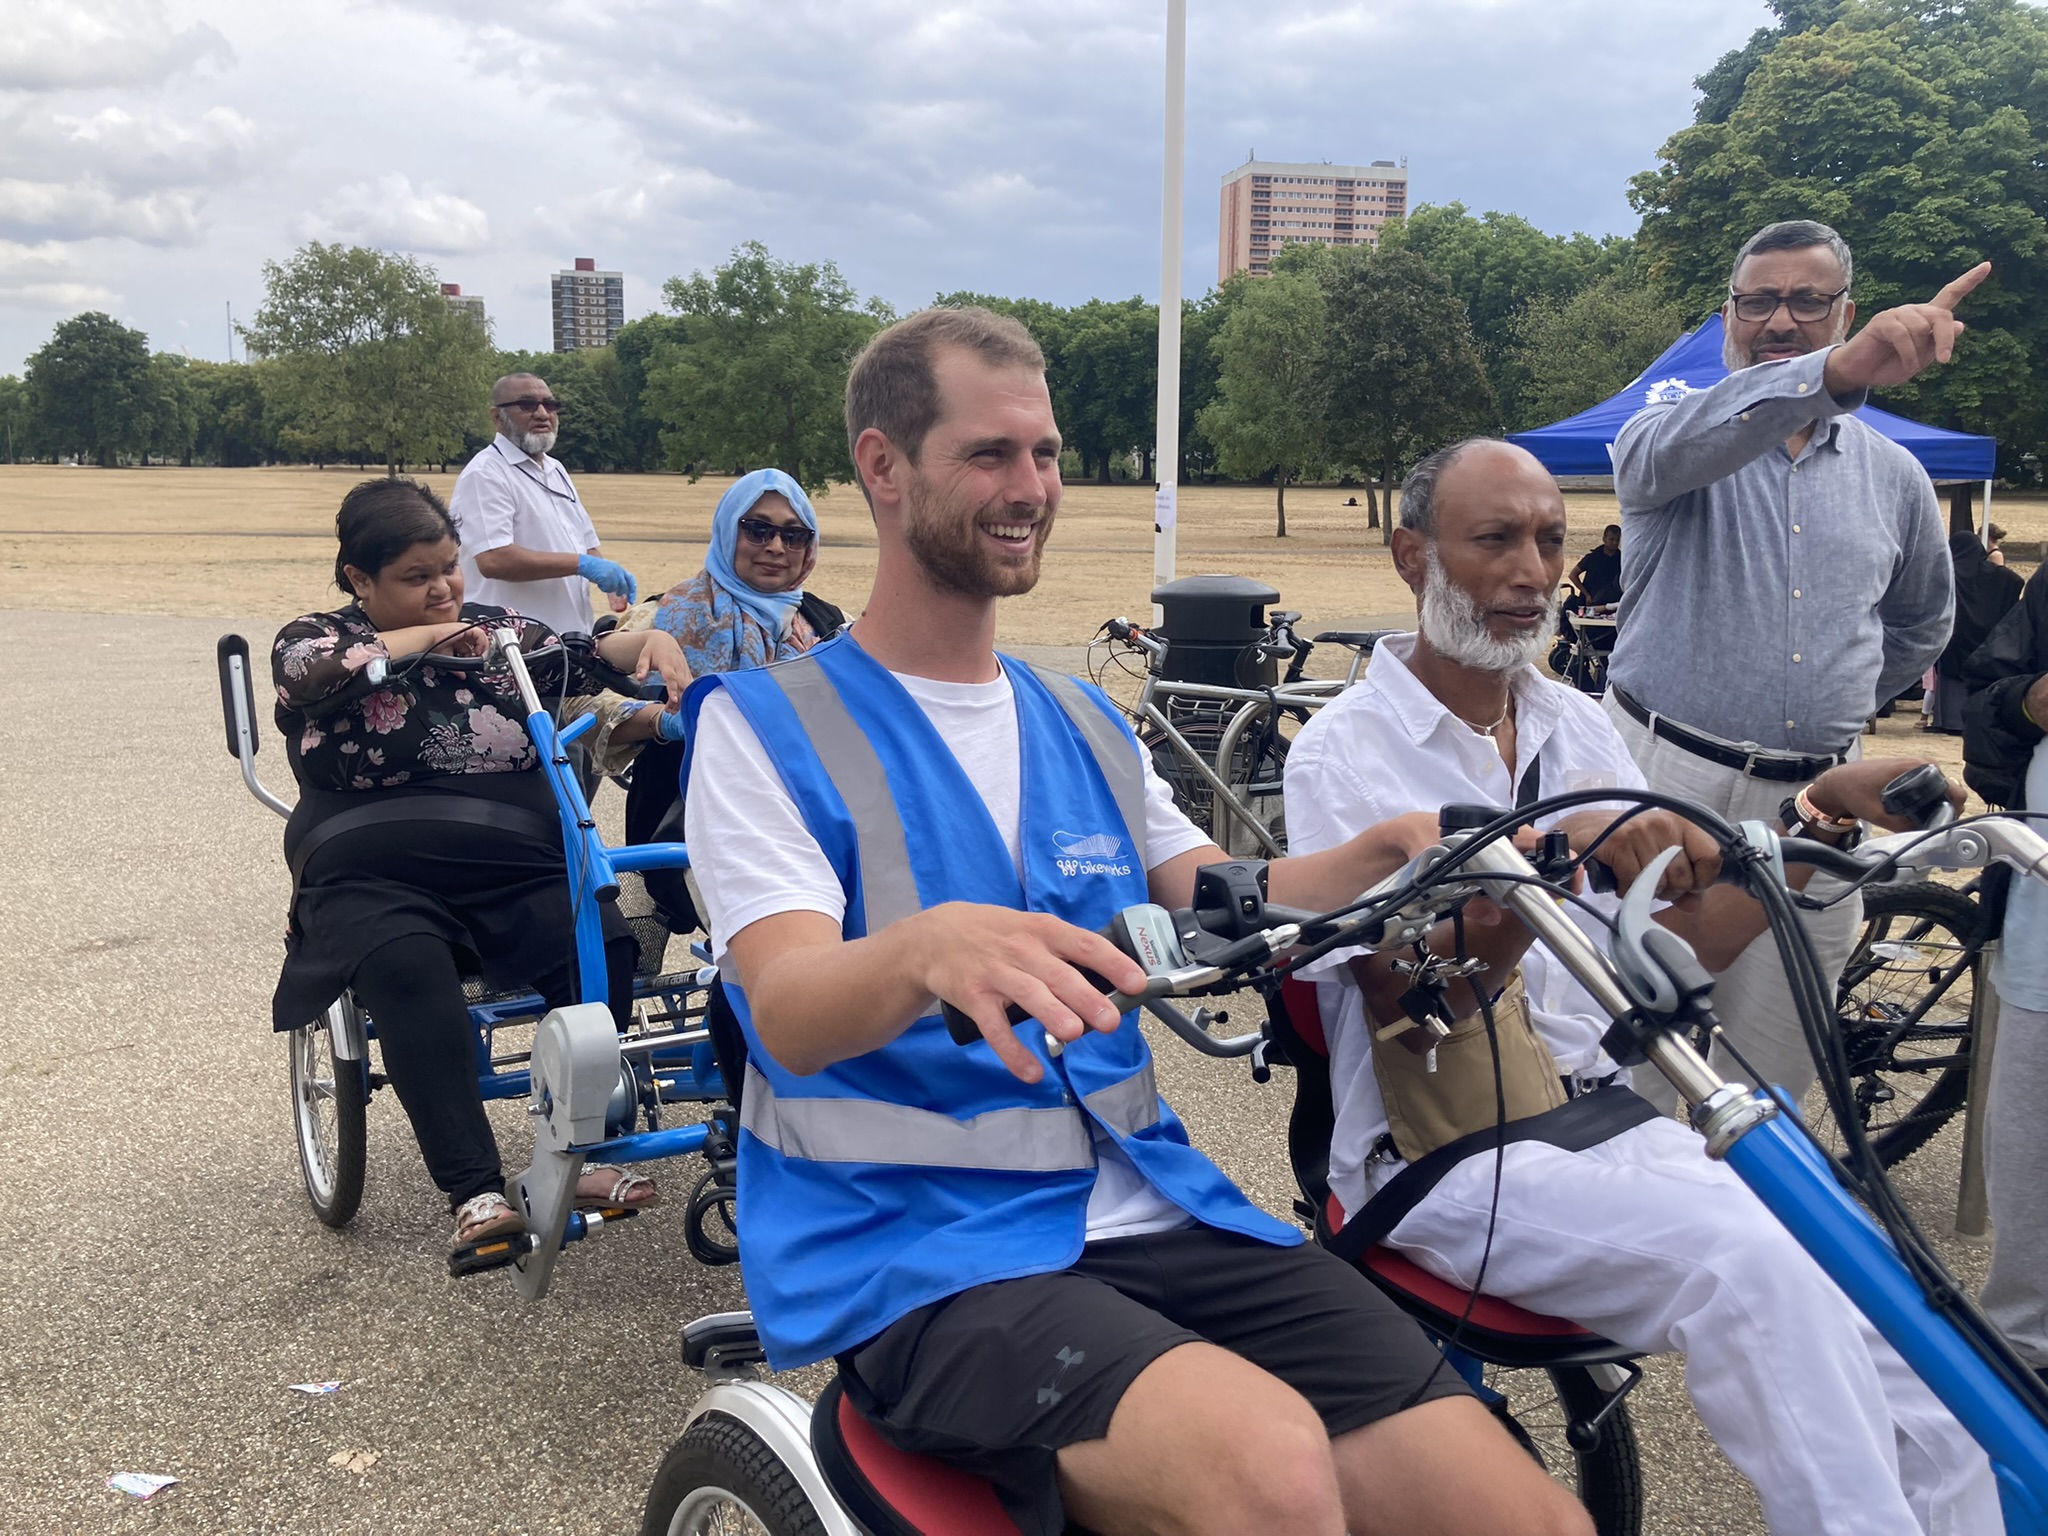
{"x": 1402, "y": 372}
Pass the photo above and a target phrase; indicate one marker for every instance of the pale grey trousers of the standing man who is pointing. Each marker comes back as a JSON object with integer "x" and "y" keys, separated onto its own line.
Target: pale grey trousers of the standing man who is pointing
{"x": 1752, "y": 996}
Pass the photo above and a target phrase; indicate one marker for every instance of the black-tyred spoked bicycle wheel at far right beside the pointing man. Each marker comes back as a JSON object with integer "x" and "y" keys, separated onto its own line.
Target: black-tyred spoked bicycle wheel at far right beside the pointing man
{"x": 1906, "y": 1007}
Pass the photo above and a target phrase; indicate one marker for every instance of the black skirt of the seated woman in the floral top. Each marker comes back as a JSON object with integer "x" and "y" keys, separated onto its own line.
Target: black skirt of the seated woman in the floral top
{"x": 501, "y": 898}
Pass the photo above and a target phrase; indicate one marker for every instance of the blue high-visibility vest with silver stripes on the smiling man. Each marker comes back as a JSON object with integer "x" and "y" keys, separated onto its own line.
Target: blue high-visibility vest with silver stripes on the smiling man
{"x": 919, "y": 1170}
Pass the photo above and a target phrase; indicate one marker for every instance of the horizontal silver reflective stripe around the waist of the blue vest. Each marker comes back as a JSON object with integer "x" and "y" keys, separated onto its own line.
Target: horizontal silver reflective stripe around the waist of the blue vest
{"x": 871, "y": 1132}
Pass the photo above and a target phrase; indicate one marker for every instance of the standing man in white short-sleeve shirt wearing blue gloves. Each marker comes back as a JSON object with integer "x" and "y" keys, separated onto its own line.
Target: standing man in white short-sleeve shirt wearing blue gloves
{"x": 527, "y": 542}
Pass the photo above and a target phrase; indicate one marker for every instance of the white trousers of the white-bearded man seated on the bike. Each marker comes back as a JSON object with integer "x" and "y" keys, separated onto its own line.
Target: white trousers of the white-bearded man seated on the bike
{"x": 1660, "y": 1248}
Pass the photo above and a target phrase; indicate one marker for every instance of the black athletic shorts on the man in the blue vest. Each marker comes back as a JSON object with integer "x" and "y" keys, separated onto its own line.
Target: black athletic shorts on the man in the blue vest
{"x": 1000, "y": 1377}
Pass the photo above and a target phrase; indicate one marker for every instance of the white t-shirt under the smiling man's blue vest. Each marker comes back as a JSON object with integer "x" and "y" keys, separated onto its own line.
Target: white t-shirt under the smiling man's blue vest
{"x": 755, "y": 857}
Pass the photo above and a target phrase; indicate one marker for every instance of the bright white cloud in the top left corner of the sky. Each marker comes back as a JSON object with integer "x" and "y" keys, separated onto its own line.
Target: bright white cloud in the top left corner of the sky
{"x": 73, "y": 44}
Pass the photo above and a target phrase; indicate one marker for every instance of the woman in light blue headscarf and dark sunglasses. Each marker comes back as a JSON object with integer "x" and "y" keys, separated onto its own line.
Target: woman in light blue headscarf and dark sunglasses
{"x": 744, "y": 609}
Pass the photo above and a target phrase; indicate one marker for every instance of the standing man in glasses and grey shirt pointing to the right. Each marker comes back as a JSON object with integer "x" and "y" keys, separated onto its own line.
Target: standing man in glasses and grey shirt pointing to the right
{"x": 1783, "y": 572}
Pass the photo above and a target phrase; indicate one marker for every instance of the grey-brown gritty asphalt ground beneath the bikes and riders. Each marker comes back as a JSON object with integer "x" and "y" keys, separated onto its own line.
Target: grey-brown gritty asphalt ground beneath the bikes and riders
{"x": 163, "y": 1279}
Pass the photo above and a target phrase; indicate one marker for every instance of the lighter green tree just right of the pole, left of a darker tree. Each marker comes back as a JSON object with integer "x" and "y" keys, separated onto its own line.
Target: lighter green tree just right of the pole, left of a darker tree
{"x": 1269, "y": 413}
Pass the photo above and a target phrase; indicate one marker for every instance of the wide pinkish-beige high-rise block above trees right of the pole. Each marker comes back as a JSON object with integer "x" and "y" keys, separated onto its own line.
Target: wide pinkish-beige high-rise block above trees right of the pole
{"x": 1269, "y": 206}
